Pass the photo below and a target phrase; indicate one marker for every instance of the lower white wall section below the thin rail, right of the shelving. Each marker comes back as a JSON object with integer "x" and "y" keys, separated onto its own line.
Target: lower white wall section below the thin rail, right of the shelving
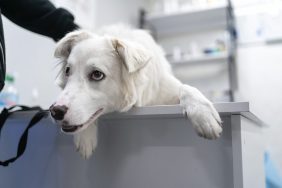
{"x": 260, "y": 83}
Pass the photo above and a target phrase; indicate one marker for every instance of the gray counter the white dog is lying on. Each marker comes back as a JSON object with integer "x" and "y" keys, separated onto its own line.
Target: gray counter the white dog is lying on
{"x": 148, "y": 147}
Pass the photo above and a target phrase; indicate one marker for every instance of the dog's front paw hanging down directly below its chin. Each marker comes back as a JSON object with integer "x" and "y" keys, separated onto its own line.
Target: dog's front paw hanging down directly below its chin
{"x": 86, "y": 141}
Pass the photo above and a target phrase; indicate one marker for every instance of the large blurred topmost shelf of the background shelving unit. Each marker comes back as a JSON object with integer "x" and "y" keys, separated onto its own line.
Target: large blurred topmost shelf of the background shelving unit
{"x": 214, "y": 17}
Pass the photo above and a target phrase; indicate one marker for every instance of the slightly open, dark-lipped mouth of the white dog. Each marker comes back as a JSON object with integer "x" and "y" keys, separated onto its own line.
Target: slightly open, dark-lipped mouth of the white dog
{"x": 66, "y": 128}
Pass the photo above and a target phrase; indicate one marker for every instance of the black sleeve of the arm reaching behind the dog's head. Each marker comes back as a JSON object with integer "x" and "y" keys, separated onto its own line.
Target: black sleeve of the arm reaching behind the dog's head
{"x": 39, "y": 16}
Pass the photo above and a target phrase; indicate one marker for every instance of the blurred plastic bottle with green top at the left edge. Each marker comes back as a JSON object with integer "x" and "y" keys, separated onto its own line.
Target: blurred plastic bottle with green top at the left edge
{"x": 9, "y": 95}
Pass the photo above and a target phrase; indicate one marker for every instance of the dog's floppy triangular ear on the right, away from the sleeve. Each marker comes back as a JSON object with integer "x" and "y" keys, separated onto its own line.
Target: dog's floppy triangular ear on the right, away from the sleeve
{"x": 134, "y": 55}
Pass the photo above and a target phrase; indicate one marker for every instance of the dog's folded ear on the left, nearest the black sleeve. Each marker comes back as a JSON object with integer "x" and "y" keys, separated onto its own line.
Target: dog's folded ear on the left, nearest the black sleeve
{"x": 65, "y": 45}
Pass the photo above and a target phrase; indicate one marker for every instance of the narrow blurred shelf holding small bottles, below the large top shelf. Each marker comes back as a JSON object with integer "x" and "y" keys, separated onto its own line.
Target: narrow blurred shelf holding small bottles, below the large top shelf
{"x": 222, "y": 57}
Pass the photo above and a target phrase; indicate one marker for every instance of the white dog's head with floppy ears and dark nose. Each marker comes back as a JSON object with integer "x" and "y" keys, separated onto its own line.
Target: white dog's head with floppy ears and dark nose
{"x": 97, "y": 77}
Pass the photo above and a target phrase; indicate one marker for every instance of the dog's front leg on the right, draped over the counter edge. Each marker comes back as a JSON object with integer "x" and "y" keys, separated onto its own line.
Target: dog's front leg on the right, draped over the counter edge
{"x": 201, "y": 112}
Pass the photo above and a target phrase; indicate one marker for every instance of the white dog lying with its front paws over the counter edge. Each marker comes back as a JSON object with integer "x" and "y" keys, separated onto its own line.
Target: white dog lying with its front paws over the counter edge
{"x": 113, "y": 71}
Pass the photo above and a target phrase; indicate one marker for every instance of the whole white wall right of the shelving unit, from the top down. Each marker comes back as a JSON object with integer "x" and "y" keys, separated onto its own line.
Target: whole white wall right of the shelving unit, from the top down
{"x": 260, "y": 67}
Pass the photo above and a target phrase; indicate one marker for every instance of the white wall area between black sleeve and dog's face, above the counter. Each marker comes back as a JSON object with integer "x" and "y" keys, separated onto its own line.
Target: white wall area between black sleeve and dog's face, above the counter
{"x": 30, "y": 56}
